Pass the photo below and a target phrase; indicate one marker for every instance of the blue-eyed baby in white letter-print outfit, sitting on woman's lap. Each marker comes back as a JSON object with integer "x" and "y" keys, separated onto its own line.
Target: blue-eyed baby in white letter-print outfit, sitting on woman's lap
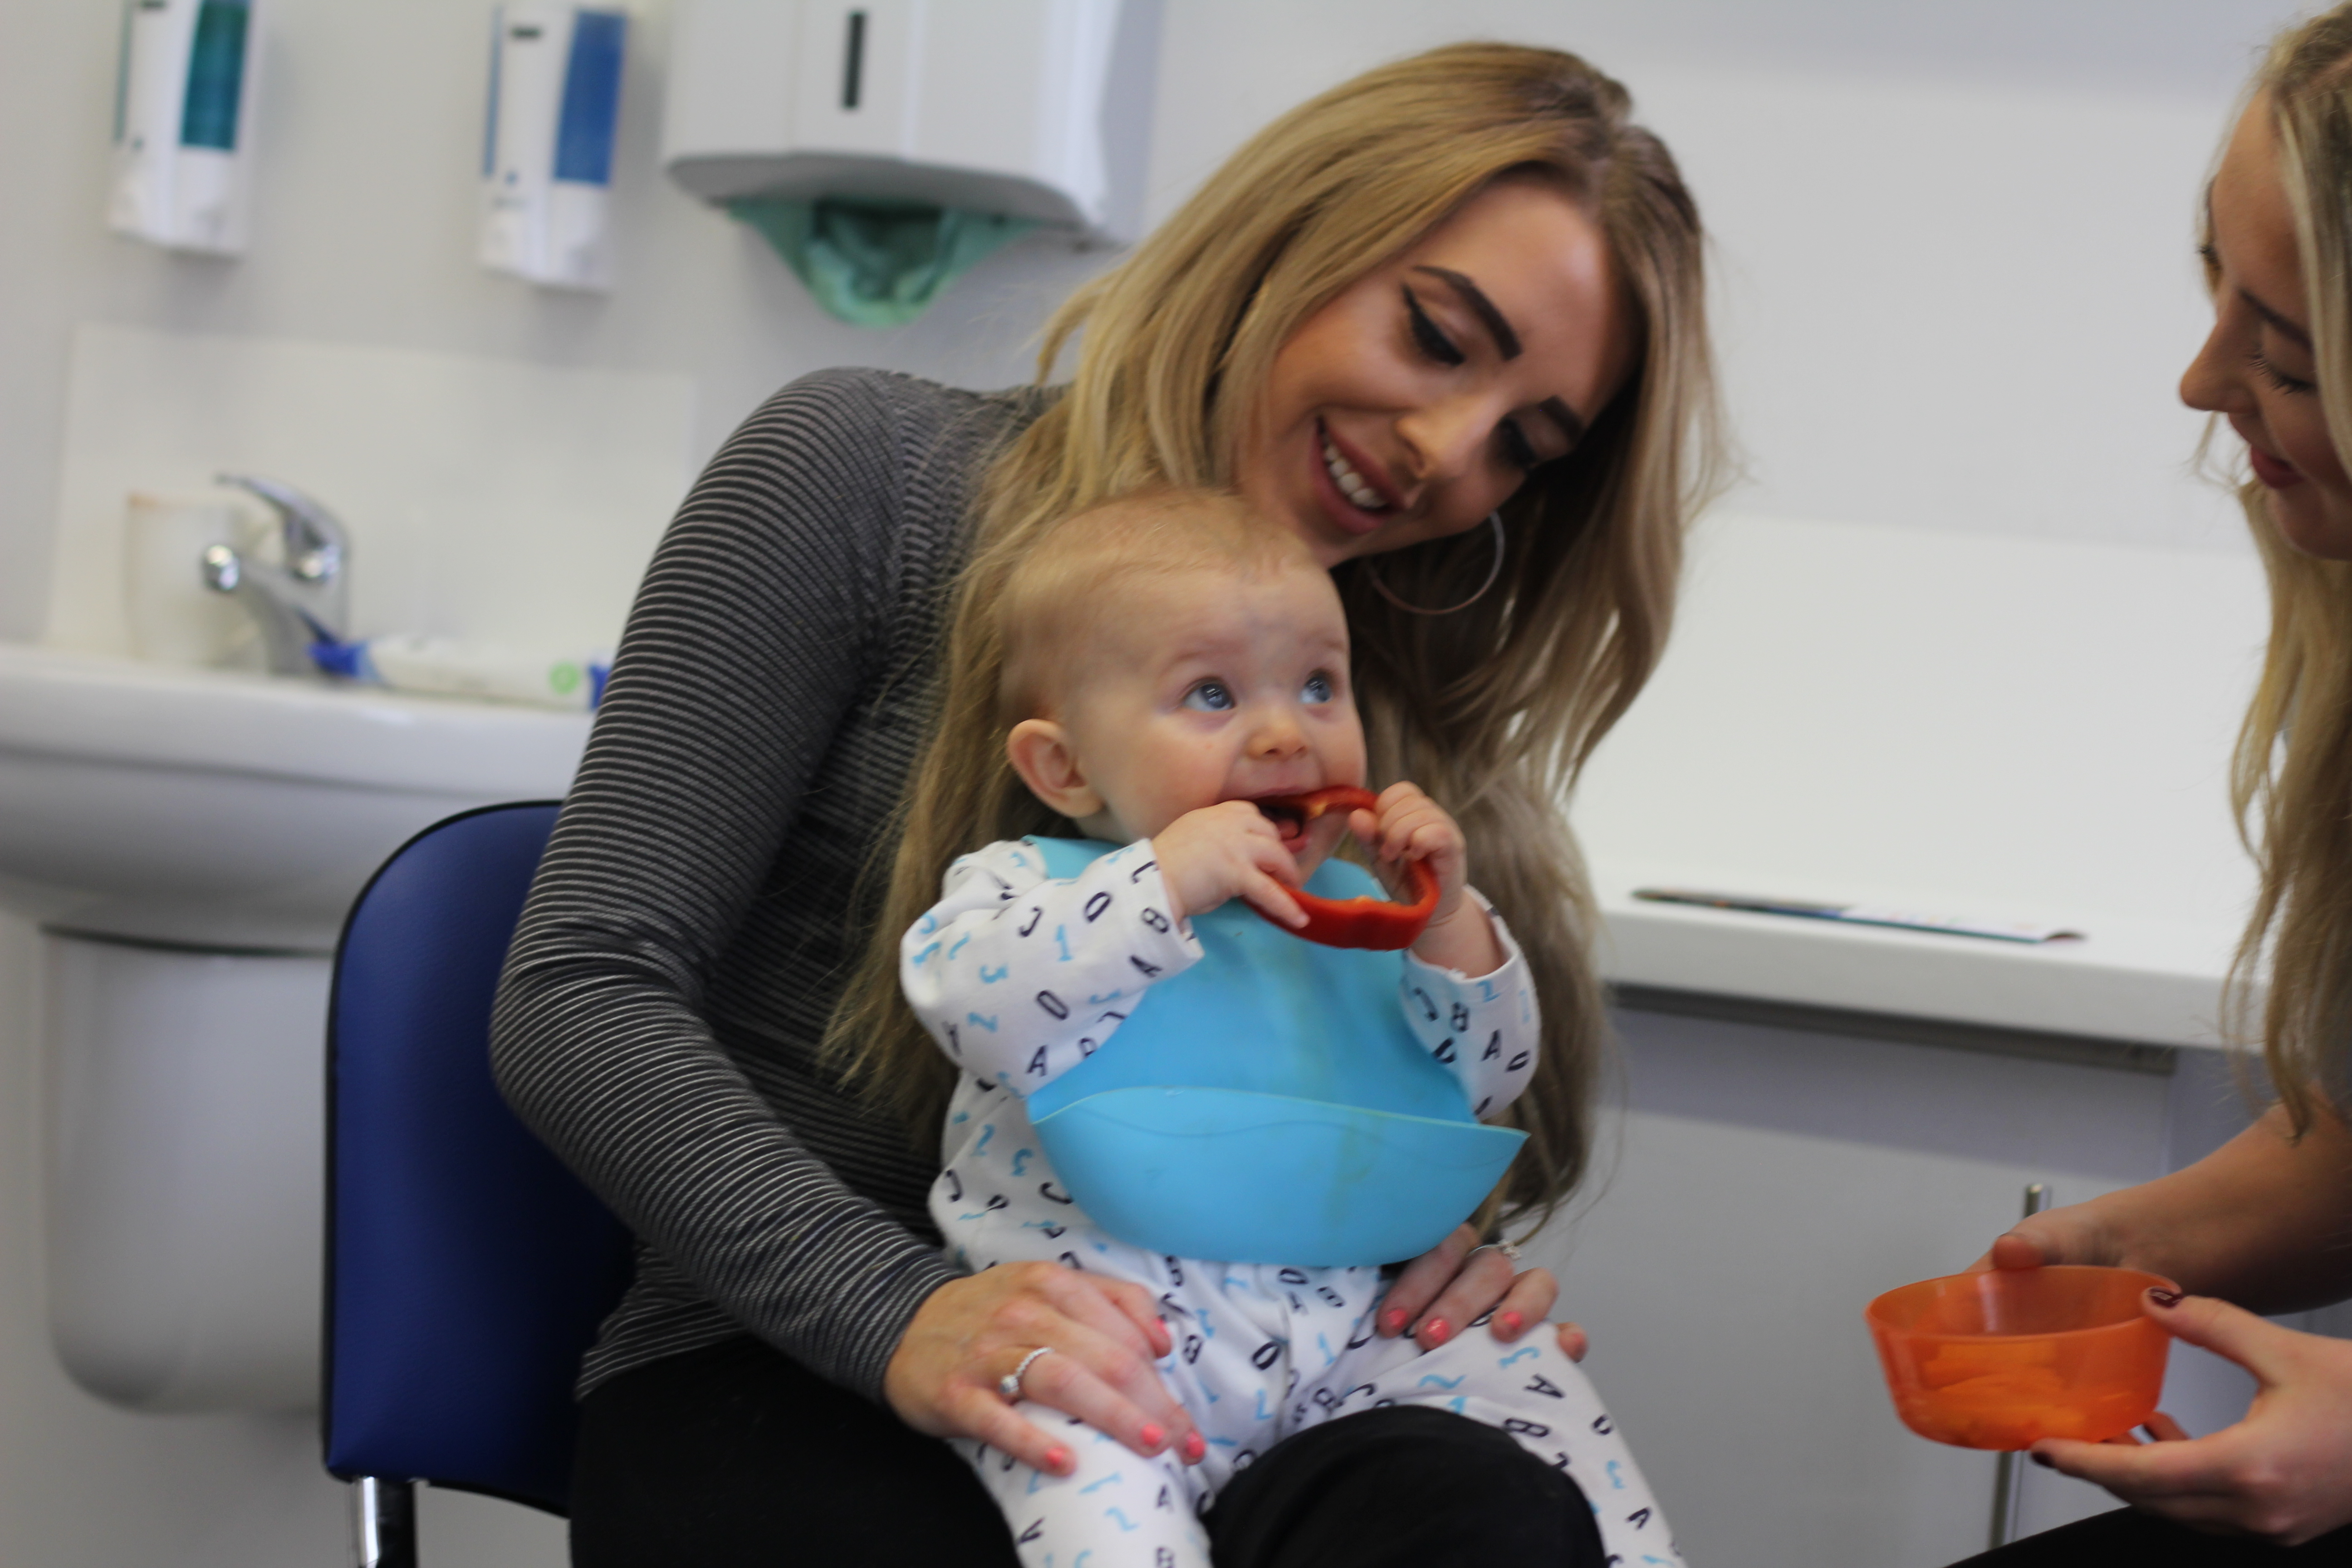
{"x": 1170, "y": 662}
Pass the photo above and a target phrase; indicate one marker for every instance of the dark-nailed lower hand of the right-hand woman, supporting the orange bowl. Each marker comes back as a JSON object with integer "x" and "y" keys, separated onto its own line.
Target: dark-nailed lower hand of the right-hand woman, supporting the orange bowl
{"x": 2283, "y": 1475}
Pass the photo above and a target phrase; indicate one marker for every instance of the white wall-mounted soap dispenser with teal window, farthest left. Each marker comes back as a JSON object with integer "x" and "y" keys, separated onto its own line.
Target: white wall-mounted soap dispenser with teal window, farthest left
{"x": 185, "y": 91}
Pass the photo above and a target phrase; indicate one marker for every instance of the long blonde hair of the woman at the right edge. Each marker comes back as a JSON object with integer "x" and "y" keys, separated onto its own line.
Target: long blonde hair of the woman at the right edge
{"x": 2292, "y": 779}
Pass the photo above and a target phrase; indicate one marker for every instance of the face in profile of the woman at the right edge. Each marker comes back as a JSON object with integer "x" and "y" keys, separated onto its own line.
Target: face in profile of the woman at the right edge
{"x": 2257, "y": 368}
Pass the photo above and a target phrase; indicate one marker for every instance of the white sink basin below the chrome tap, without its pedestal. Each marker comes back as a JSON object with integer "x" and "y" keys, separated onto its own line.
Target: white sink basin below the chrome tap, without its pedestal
{"x": 236, "y": 812}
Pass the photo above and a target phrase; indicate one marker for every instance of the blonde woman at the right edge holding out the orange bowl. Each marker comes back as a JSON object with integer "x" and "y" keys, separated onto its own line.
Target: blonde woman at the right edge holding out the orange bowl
{"x": 2264, "y": 1224}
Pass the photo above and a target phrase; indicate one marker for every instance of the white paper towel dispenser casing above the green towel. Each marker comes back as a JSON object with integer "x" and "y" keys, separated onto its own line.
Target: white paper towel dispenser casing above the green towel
{"x": 1029, "y": 109}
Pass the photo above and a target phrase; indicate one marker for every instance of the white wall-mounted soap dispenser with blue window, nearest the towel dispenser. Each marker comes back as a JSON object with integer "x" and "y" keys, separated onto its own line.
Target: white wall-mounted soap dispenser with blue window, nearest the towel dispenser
{"x": 547, "y": 156}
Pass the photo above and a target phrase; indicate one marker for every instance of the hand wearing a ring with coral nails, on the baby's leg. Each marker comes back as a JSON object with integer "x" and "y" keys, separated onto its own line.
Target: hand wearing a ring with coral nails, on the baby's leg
{"x": 1104, "y": 1336}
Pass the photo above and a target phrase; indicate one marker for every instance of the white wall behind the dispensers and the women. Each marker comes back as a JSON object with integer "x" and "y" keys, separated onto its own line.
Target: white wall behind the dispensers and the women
{"x": 1956, "y": 290}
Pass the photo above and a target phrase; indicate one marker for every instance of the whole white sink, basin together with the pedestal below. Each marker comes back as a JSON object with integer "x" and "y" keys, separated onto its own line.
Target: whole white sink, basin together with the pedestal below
{"x": 192, "y": 840}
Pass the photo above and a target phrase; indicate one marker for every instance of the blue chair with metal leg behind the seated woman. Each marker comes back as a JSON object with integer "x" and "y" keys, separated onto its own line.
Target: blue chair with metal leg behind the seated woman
{"x": 467, "y": 1271}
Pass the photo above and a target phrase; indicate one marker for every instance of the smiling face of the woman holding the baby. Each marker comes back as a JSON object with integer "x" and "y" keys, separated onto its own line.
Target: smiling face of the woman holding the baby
{"x": 1424, "y": 394}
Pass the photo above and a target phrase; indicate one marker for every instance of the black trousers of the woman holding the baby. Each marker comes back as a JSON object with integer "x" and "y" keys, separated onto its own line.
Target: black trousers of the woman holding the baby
{"x": 733, "y": 1456}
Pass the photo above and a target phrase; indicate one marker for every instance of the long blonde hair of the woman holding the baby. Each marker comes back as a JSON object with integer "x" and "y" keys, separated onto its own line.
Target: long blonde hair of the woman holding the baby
{"x": 1492, "y": 711}
